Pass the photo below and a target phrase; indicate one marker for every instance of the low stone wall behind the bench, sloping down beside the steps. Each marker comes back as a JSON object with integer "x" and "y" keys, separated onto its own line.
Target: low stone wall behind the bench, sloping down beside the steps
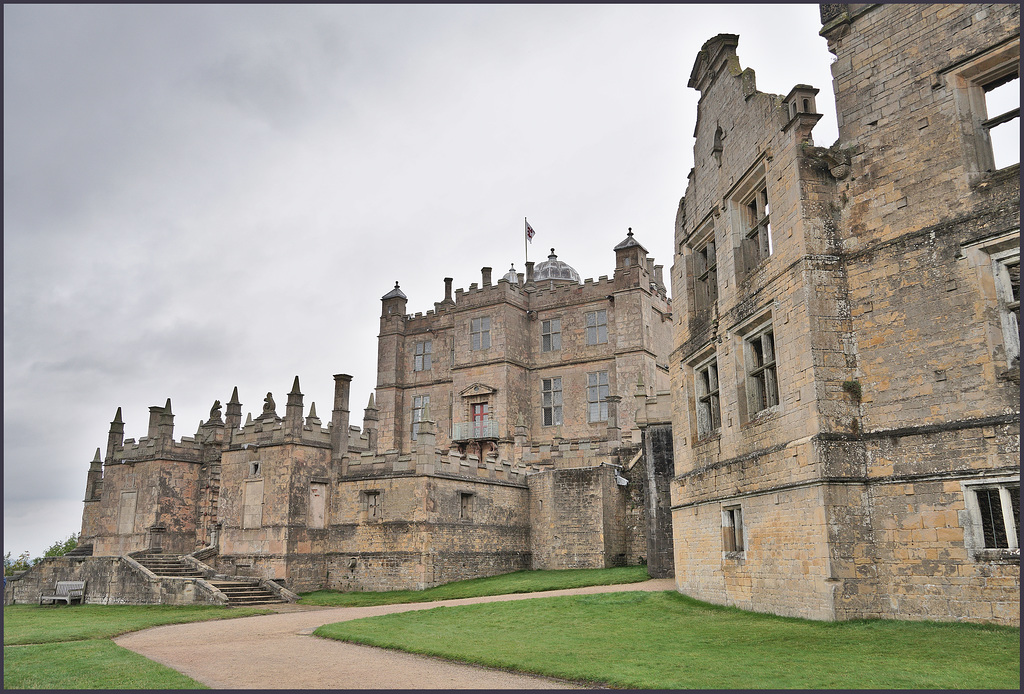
{"x": 110, "y": 581}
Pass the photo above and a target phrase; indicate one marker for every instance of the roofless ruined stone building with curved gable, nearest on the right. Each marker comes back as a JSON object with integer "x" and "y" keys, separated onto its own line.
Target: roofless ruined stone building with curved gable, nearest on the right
{"x": 846, "y": 360}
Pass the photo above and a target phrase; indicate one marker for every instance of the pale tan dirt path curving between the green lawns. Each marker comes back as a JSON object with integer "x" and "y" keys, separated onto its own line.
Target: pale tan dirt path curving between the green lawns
{"x": 277, "y": 652}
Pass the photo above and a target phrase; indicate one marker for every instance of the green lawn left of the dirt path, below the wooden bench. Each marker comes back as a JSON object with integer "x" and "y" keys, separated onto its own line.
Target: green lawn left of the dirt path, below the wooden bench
{"x": 61, "y": 647}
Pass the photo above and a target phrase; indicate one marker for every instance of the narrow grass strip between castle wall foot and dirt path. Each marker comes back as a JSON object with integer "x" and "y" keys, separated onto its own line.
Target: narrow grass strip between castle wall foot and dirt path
{"x": 520, "y": 582}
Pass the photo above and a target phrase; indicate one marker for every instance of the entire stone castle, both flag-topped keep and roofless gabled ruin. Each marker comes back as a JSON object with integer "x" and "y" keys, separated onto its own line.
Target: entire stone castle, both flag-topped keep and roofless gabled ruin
{"x": 824, "y": 422}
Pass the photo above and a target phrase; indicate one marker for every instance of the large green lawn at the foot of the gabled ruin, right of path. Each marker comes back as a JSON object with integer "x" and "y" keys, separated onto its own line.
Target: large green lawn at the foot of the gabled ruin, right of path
{"x": 667, "y": 641}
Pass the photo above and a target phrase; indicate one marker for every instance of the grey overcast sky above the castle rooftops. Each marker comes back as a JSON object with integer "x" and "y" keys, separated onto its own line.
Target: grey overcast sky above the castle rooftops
{"x": 198, "y": 198}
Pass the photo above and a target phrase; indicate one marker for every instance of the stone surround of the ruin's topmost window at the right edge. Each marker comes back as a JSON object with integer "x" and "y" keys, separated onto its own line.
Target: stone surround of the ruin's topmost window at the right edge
{"x": 969, "y": 80}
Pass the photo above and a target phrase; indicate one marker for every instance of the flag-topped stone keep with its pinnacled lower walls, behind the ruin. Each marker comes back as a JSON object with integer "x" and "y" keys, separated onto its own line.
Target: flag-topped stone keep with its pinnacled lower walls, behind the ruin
{"x": 485, "y": 478}
